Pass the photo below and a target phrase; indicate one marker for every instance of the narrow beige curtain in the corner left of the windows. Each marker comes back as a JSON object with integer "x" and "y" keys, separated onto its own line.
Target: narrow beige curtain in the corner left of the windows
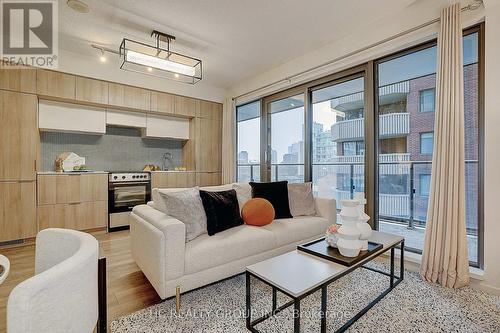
{"x": 228, "y": 142}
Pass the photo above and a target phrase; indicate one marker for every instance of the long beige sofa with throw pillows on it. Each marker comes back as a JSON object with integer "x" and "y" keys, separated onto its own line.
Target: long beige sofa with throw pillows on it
{"x": 159, "y": 247}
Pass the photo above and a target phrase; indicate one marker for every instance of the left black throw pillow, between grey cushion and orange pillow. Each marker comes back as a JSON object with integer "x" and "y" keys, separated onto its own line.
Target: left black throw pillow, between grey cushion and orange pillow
{"x": 222, "y": 210}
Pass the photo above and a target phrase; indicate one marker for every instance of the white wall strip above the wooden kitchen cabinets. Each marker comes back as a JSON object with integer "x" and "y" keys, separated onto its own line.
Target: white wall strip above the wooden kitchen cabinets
{"x": 73, "y": 63}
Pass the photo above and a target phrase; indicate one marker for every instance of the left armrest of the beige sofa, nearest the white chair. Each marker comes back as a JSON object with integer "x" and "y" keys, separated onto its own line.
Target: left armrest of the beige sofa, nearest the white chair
{"x": 158, "y": 245}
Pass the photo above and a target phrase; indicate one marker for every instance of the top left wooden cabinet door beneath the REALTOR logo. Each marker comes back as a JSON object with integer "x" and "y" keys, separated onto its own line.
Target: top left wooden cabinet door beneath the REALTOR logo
{"x": 18, "y": 79}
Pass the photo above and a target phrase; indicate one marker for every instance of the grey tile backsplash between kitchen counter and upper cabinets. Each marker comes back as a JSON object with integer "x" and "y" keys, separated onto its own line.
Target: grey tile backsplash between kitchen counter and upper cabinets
{"x": 120, "y": 149}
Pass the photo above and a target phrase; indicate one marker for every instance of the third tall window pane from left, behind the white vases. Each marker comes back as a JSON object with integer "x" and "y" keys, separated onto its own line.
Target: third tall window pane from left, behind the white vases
{"x": 338, "y": 129}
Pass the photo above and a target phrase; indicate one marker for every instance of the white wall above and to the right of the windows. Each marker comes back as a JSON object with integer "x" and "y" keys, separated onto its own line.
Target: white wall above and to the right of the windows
{"x": 416, "y": 14}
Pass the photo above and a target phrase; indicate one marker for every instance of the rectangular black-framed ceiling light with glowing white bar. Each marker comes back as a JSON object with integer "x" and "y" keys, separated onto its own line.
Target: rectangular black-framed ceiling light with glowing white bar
{"x": 158, "y": 61}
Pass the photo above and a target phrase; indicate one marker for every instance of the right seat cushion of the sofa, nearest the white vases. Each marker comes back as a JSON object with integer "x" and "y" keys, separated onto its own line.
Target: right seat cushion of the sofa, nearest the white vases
{"x": 287, "y": 231}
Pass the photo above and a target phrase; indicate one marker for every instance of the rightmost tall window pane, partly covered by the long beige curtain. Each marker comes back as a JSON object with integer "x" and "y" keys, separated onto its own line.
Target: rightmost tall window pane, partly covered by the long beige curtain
{"x": 405, "y": 116}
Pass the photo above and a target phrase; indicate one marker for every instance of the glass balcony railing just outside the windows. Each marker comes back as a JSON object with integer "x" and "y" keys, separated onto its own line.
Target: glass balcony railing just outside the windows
{"x": 401, "y": 200}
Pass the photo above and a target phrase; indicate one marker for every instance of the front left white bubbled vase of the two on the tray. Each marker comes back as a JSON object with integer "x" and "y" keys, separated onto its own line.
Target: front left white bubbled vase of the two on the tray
{"x": 348, "y": 243}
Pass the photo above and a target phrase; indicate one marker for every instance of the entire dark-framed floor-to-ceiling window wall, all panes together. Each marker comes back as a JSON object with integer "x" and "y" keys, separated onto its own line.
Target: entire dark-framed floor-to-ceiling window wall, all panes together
{"x": 316, "y": 132}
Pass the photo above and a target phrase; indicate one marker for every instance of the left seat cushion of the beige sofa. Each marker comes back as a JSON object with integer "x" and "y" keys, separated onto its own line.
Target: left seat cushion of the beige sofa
{"x": 210, "y": 251}
